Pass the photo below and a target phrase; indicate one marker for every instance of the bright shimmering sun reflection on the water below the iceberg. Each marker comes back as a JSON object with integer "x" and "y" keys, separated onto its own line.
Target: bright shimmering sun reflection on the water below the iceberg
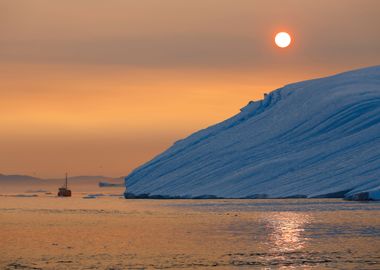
{"x": 286, "y": 231}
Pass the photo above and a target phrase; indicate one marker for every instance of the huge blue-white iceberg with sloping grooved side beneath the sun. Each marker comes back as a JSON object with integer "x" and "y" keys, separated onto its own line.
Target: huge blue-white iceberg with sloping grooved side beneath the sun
{"x": 315, "y": 138}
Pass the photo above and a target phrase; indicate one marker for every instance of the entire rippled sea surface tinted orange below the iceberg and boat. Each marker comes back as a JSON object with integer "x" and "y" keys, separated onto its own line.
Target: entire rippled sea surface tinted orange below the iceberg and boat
{"x": 46, "y": 232}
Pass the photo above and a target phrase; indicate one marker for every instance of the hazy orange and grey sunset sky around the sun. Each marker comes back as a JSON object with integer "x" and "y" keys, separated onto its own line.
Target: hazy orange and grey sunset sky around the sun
{"x": 100, "y": 87}
